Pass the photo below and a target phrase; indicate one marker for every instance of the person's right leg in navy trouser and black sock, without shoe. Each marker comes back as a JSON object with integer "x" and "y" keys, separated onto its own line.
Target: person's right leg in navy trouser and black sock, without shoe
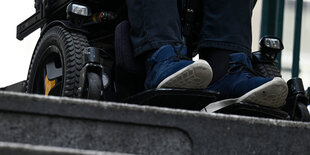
{"x": 226, "y": 28}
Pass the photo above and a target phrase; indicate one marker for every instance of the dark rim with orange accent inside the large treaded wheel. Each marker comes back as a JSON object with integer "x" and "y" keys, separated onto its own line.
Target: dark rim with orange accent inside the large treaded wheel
{"x": 47, "y": 81}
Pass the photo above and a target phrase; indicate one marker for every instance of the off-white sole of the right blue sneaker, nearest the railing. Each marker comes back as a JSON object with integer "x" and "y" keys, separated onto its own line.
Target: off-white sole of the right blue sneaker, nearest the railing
{"x": 263, "y": 95}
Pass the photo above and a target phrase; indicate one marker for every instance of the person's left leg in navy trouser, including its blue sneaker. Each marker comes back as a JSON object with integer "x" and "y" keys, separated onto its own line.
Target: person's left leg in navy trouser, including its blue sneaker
{"x": 156, "y": 35}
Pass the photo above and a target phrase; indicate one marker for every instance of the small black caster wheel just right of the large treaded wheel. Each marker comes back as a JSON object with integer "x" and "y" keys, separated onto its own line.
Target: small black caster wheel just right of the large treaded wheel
{"x": 94, "y": 86}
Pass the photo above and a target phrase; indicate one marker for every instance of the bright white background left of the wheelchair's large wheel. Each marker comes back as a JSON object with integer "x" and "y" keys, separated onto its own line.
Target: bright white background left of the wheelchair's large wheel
{"x": 15, "y": 55}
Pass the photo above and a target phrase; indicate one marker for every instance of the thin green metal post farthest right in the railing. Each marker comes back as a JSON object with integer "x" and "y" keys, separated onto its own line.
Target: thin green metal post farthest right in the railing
{"x": 297, "y": 35}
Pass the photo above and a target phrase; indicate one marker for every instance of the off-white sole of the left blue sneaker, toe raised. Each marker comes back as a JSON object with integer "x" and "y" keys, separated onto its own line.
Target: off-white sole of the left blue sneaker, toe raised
{"x": 197, "y": 75}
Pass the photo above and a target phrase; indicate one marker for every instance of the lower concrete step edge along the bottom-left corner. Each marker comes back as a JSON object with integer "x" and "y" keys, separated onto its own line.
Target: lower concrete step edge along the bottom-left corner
{"x": 27, "y": 149}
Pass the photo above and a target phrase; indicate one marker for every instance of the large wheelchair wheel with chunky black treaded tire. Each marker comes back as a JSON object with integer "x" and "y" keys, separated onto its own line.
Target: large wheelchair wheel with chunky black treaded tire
{"x": 56, "y": 63}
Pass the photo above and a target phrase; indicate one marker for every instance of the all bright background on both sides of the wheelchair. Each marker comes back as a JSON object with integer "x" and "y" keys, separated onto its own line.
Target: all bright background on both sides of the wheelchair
{"x": 15, "y": 55}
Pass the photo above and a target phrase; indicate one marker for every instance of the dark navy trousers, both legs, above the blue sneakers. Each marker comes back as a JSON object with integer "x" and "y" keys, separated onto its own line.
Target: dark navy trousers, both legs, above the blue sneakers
{"x": 226, "y": 24}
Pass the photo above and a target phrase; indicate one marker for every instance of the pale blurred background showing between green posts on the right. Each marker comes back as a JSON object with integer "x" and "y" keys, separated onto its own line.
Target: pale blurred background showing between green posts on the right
{"x": 288, "y": 38}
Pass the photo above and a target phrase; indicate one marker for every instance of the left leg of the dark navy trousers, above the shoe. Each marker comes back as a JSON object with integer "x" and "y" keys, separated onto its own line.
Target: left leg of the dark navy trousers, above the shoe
{"x": 153, "y": 23}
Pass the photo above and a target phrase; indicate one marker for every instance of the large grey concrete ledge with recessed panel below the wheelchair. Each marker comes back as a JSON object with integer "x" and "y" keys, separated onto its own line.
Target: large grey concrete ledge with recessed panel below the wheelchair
{"x": 123, "y": 128}
